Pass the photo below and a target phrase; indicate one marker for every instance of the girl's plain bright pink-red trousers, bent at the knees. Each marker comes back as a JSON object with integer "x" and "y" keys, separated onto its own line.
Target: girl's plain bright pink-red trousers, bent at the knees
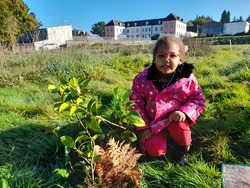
{"x": 156, "y": 145}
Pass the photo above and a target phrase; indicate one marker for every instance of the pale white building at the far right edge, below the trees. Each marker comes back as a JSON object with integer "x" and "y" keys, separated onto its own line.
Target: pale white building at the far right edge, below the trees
{"x": 235, "y": 27}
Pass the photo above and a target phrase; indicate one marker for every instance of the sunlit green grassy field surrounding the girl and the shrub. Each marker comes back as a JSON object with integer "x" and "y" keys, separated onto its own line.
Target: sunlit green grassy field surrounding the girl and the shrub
{"x": 30, "y": 151}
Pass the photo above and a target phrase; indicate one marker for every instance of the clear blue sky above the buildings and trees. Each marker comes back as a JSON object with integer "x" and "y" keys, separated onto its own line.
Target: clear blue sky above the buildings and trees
{"x": 82, "y": 14}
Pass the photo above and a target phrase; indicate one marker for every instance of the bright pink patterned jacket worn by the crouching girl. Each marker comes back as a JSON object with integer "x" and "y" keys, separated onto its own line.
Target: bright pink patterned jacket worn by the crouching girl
{"x": 184, "y": 95}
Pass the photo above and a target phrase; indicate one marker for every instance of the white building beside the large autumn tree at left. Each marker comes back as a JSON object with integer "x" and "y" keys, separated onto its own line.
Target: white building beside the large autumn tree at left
{"x": 58, "y": 35}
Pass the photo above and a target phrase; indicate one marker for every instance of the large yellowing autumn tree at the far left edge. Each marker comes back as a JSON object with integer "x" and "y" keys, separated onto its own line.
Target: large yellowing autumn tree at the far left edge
{"x": 15, "y": 20}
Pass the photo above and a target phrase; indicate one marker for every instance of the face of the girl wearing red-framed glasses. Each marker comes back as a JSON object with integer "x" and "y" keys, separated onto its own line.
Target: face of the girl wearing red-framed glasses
{"x": 167, "y": 58}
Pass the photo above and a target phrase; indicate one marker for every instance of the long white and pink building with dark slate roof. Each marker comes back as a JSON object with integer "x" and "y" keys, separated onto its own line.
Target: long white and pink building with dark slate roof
{"x": 145, "y": 29}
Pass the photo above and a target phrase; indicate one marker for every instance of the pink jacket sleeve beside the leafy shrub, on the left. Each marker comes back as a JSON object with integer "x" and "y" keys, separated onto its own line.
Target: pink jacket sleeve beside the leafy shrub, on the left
{"x": 139, "y": 99}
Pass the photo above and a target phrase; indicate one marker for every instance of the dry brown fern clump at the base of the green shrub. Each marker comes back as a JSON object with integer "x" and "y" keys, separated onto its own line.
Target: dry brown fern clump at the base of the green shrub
{"x": 117, "y": 165}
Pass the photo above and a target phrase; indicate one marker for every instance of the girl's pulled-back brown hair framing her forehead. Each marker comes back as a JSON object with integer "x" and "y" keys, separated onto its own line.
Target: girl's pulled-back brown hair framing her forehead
{"x": 169, "y": 39}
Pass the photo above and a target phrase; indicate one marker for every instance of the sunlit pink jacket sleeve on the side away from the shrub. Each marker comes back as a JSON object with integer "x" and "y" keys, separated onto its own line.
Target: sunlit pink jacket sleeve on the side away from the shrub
{"x": 195, "y": 103}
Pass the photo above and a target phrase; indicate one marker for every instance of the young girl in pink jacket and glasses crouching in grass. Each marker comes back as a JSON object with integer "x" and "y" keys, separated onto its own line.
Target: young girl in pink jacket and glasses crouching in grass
{"x": 169, "y": 99}
